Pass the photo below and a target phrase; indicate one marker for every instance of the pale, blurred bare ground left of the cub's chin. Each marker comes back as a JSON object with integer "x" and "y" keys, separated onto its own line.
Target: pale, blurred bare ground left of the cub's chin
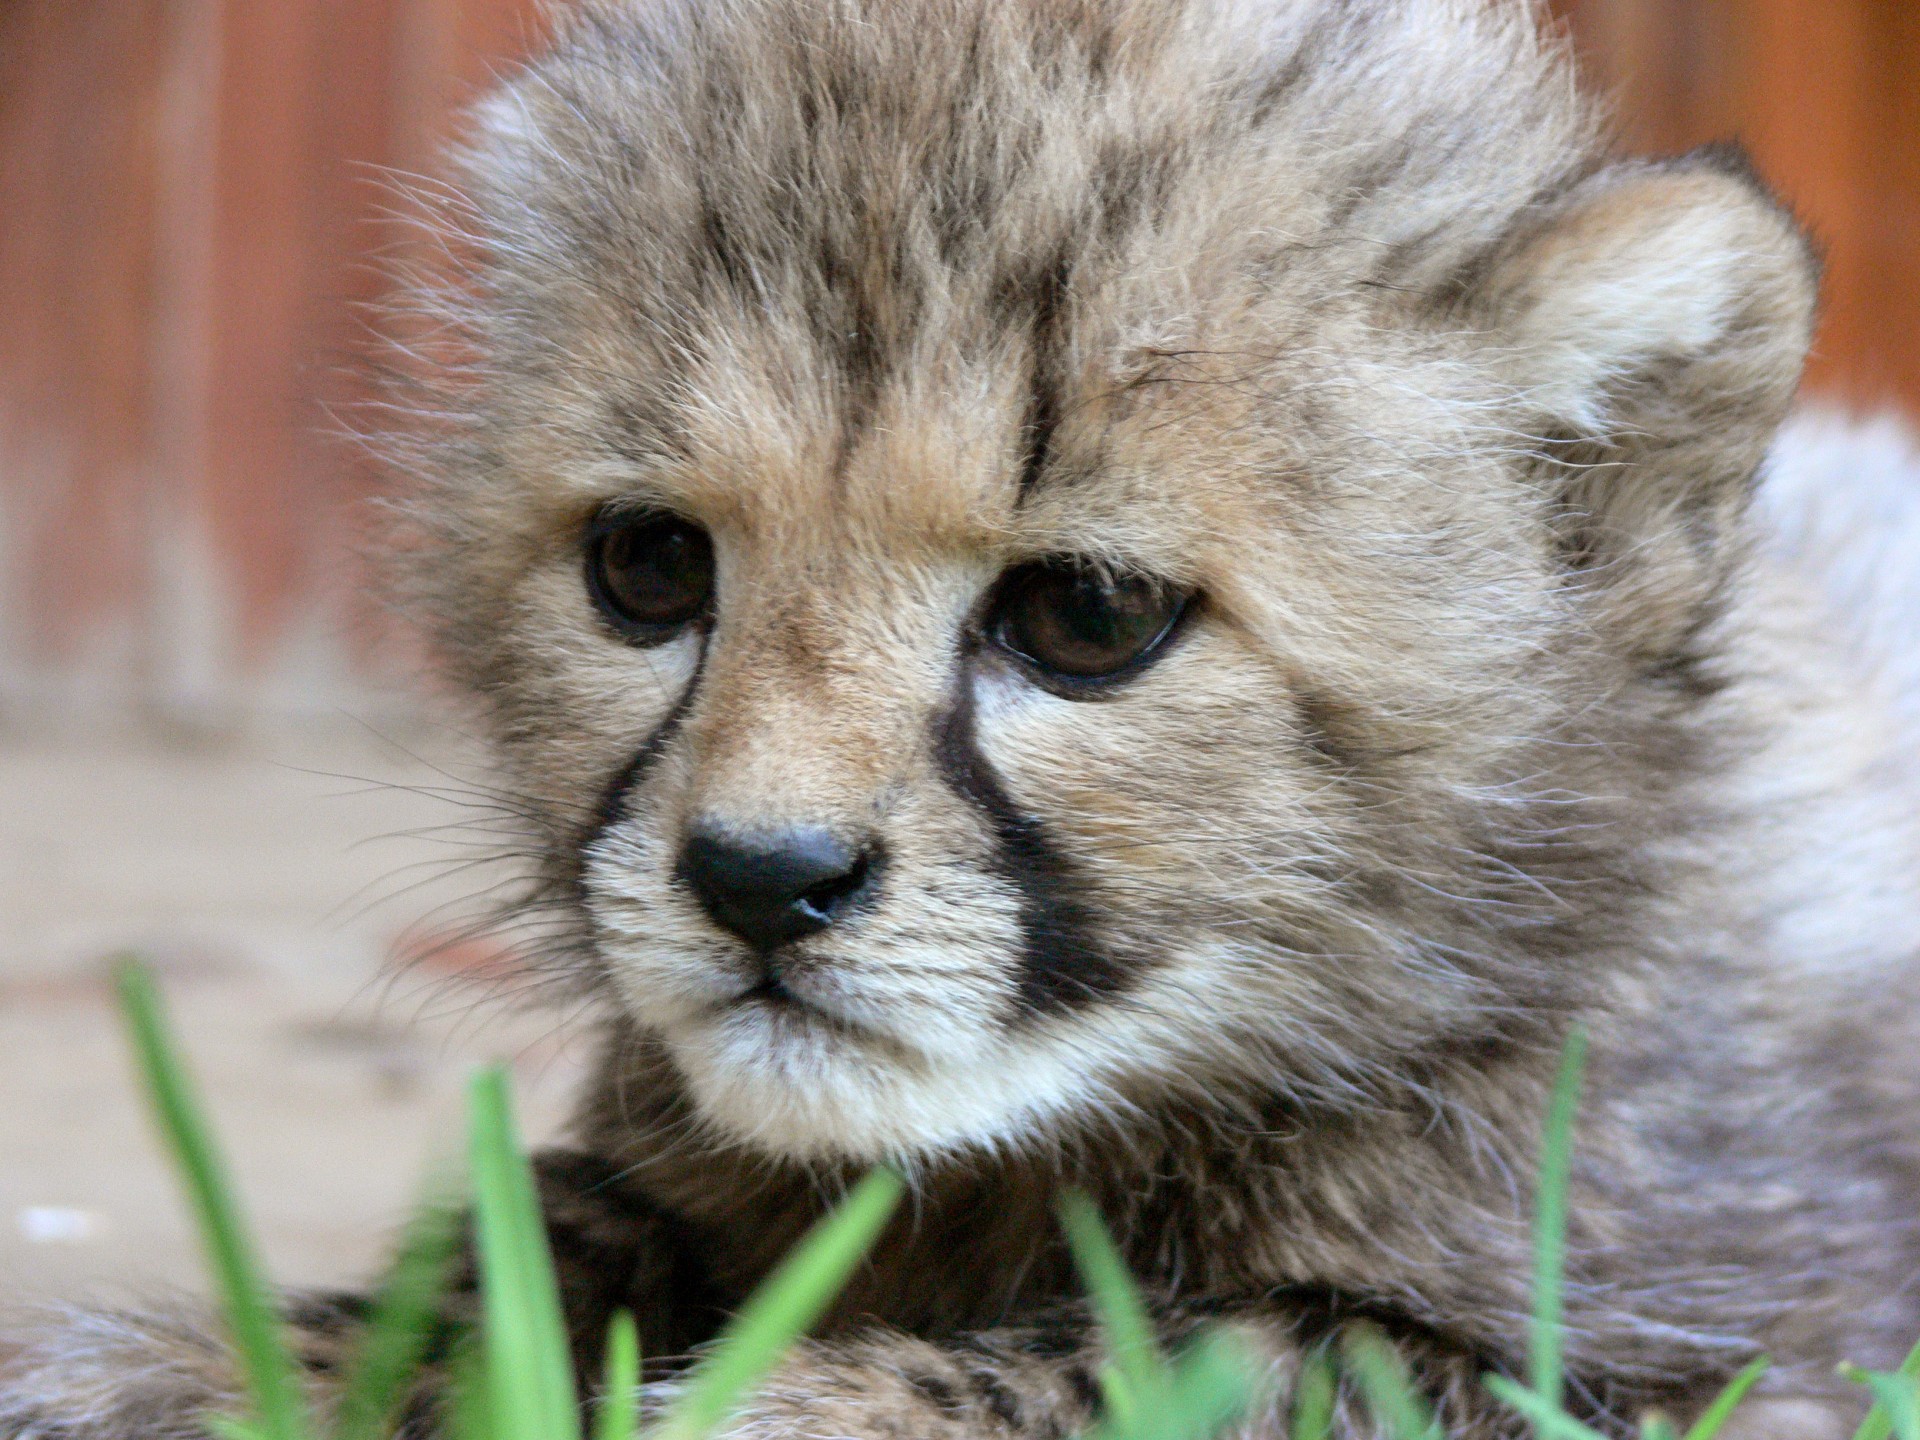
{"x": 270, "y": 884}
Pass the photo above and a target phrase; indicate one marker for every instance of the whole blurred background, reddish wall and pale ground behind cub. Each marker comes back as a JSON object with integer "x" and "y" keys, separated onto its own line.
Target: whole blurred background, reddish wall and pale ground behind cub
{"x": 214, "y": 746}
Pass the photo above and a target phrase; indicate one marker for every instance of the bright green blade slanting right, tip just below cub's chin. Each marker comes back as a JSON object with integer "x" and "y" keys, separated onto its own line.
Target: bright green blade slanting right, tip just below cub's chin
{"x": 782, "y": 1308}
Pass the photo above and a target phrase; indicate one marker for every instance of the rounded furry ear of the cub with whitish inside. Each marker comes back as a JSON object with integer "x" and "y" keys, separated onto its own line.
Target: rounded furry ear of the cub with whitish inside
{"x": 1654, "y": 329}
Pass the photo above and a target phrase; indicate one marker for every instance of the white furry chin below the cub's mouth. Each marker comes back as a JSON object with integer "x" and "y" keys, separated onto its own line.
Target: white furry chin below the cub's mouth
{"x": 796, "y": 1084}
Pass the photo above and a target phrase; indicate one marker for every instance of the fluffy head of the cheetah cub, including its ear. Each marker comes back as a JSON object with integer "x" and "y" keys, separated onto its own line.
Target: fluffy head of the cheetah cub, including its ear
{"x": 1032, "y": 562}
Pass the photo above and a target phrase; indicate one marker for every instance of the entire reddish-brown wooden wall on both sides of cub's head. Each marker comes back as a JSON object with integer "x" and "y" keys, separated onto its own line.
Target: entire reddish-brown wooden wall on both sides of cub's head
{"x": 189, "y": 210}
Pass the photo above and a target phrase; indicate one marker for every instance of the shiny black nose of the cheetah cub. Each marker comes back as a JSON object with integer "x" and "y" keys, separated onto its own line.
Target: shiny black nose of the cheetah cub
{"x": 775, "y": 886}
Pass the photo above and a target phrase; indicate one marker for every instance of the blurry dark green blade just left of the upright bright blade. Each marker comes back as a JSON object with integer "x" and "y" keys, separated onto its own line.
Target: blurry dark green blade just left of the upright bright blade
{"x": 404, "y": 1320}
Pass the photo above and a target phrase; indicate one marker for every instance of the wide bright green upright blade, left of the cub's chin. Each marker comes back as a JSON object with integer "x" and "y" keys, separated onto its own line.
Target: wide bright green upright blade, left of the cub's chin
{"x": 529, "y": 1364}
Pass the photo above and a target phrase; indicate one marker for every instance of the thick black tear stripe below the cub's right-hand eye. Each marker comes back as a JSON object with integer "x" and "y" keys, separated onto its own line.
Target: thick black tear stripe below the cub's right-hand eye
{"x": 1063, "y": 961}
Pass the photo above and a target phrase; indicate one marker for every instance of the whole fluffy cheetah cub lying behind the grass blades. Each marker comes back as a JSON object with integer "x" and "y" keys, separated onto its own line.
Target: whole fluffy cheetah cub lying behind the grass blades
{"x": 1159, "y": 596}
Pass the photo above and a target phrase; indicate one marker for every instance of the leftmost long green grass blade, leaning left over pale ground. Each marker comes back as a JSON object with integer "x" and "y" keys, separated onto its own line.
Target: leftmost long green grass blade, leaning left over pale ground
{"x": 270, "y": 1372}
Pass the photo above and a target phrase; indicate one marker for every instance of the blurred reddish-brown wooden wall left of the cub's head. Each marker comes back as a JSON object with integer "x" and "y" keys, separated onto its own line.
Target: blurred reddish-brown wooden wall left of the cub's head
{"x": 189, "y": 218}
